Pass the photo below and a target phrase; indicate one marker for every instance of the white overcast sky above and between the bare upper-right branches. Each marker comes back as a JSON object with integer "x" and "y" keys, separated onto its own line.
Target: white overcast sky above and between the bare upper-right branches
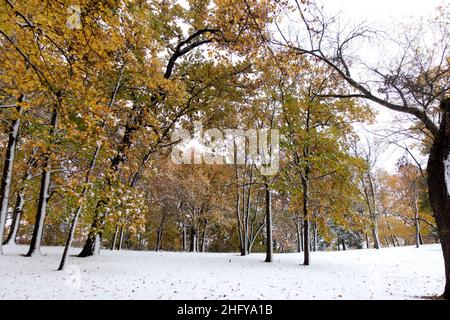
{"x": 386, "y": 14}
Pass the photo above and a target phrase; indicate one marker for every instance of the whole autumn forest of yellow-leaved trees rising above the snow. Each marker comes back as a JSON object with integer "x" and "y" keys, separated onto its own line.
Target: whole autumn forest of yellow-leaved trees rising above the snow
{"x": 93, "y": 92}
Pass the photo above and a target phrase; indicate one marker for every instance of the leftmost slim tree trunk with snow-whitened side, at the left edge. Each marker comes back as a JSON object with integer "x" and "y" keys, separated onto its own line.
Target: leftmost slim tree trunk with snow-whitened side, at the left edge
{"x": 8, "y": 166}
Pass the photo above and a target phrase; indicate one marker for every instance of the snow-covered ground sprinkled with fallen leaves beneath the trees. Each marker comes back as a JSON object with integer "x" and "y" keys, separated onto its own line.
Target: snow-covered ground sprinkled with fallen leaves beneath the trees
{"x": 391, "y": 273}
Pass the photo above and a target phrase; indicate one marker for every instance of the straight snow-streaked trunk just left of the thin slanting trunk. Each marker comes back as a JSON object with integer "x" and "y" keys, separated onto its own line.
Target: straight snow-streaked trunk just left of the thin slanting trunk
{"x": 35, "y": 245}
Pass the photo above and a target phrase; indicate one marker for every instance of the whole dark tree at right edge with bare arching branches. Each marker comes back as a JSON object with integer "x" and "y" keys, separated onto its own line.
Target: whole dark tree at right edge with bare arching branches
{"x": 415, "y": 83}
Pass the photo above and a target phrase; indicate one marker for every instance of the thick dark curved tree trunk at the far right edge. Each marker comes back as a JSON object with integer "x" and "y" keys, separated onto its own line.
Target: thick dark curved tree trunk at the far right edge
{"x": 438, "y": 176}
